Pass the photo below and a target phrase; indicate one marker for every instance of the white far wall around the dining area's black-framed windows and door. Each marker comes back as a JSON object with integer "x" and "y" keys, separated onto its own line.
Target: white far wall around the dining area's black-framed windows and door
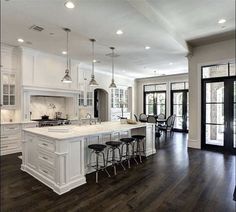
{"x": 139, "y": 83}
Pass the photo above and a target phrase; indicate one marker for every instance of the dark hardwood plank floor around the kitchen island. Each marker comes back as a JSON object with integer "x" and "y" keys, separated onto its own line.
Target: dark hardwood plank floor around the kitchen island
{"x": 175, "y": 179}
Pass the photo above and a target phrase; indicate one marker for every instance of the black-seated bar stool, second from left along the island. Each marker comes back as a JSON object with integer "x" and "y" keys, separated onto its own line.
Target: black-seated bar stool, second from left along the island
{"x": 113, "y": 146}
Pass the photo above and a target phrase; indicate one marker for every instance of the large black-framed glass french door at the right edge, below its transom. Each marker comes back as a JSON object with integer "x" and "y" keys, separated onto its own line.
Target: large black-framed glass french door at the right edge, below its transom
{"x": 219, "y": 114}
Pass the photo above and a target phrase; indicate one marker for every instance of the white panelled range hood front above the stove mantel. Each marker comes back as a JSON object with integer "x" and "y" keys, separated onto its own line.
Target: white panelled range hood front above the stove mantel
{"x": 46, "y": 70}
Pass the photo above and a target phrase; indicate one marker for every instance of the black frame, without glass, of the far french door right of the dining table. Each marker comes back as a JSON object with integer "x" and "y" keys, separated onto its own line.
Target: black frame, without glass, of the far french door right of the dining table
{"x": 185, "y": 108}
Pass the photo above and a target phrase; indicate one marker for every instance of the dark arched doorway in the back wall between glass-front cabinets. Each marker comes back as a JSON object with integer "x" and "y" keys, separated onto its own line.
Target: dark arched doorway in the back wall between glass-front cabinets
{"x": 101, "y": 104}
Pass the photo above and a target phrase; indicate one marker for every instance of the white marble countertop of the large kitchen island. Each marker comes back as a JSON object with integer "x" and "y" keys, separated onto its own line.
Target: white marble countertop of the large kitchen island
{"x": 73, "y": 131}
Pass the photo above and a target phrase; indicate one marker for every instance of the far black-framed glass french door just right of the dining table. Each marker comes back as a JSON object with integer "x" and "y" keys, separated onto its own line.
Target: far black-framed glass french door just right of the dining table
{"x": 179, "y": 107}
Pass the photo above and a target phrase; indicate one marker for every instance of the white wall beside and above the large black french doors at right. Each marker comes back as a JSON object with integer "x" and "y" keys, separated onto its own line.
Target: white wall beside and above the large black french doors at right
{"x": 203, "y": 55}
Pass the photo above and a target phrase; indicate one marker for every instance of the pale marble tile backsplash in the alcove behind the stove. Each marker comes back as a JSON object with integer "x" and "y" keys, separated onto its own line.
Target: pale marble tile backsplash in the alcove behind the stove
{"x": 46, "y": 105}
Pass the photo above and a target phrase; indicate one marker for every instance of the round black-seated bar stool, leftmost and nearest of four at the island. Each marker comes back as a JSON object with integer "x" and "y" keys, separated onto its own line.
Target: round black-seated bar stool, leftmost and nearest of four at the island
{"x": 98, "y": 149}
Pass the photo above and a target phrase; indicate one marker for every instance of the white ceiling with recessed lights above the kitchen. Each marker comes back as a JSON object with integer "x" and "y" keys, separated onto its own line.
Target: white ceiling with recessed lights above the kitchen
{"x": 164, "y": 25}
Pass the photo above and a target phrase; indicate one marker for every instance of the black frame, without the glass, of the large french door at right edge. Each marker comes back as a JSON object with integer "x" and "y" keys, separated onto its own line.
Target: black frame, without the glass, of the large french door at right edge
{"x": 228, "y": 114}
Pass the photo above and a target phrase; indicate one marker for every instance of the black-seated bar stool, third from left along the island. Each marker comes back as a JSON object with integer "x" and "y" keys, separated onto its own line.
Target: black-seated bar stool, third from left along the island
{"x": 128, "y": 142}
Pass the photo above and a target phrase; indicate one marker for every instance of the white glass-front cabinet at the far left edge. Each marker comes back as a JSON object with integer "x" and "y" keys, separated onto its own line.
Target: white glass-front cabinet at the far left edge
{"x": 8, "y": 97}
